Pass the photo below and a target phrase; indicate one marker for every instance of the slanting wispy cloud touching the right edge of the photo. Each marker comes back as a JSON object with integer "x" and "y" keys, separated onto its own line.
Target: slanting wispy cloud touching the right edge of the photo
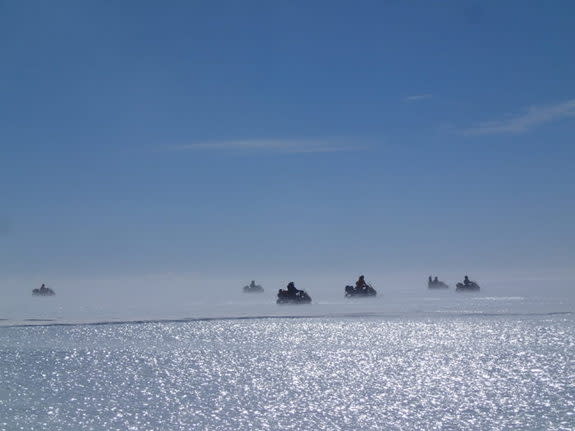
{"x": 532, "y": 117}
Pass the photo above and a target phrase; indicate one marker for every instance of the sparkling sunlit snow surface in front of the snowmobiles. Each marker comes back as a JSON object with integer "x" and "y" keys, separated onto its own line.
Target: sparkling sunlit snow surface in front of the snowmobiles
{"x": 329, "y": 373}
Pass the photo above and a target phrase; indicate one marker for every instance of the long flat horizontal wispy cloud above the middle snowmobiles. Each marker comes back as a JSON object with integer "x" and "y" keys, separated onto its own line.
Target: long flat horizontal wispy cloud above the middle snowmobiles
{"x": 270, "y": 145}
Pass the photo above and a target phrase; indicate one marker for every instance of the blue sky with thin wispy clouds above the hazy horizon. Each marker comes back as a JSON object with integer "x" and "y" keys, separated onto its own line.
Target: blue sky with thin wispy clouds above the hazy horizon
{"x": 226, "y": 137}
